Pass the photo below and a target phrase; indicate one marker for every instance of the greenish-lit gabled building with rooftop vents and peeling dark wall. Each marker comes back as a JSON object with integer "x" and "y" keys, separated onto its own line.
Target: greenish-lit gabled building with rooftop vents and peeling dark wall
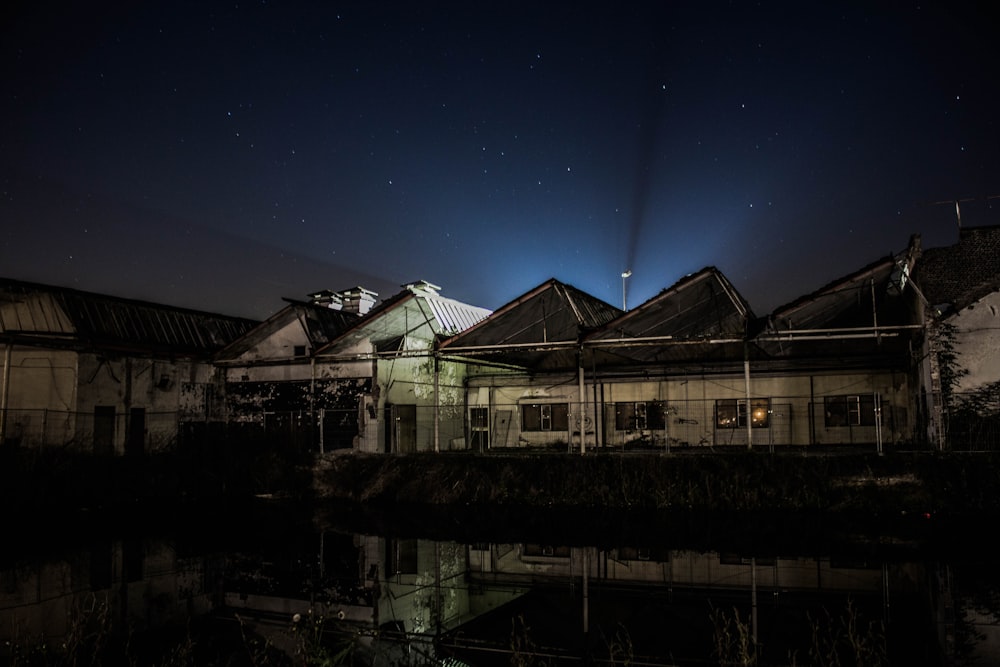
{"x": 340, "y": 372}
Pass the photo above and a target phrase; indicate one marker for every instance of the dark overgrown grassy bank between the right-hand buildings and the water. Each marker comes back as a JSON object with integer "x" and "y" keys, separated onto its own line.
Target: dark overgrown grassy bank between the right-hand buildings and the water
{"x": 728, "y": 481}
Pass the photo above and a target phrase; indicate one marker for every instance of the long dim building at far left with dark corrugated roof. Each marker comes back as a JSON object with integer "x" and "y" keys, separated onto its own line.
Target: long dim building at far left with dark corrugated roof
{"x": 100, "y": 373}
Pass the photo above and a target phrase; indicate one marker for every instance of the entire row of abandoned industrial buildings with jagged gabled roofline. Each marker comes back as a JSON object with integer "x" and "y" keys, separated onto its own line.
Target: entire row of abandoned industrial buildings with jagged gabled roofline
{"x": 872, "y": 358}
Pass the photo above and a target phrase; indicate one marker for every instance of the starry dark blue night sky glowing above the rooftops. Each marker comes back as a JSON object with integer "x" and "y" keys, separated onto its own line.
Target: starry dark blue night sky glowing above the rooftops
{"x": 222, "y": 156}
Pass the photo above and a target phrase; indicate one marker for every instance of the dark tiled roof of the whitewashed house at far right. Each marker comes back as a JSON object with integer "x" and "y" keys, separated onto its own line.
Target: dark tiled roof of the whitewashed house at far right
{"x": 962, "y": 273}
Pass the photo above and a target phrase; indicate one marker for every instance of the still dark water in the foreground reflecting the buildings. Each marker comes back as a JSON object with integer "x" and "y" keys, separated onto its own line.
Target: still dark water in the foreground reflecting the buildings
{"x": 270, "y": 585}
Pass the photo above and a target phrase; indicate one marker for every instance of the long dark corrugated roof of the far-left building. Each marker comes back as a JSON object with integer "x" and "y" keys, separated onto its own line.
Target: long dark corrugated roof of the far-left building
{"x": 32, "y": 313}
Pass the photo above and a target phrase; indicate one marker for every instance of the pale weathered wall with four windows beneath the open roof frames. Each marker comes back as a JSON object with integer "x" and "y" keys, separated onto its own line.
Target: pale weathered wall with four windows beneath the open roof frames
{"x": 796, "y": 408}
